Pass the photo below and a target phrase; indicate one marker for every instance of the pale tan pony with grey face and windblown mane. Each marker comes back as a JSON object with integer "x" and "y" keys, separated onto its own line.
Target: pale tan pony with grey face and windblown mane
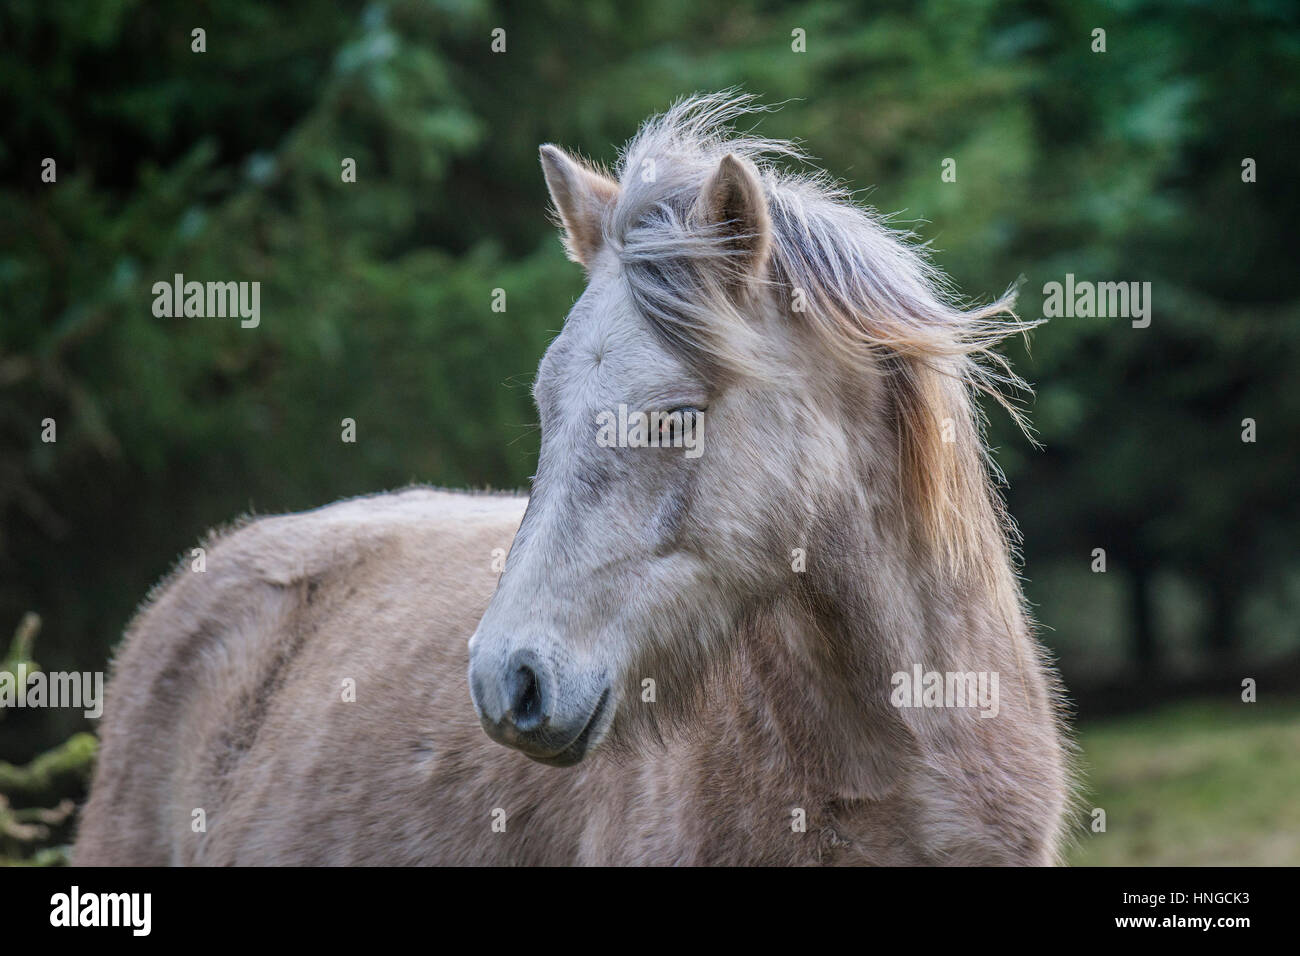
{"x": 753, "y": 655}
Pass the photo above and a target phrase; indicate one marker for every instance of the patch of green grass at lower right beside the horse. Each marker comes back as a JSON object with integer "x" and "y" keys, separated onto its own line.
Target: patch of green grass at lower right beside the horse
{"x": 1195, "y": 785}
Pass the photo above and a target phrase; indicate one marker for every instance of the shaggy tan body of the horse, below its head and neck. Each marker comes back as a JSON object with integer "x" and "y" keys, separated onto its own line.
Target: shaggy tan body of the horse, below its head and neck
{"x": 228, "y": 698}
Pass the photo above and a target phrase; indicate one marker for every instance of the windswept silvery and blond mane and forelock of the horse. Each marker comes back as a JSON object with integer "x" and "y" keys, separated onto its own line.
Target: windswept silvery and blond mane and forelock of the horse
{"x": 866, "y": 291}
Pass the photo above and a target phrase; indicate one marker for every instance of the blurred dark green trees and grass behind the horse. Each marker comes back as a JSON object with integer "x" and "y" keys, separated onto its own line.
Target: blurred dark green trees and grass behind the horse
{"x": 376, "y": 305}
